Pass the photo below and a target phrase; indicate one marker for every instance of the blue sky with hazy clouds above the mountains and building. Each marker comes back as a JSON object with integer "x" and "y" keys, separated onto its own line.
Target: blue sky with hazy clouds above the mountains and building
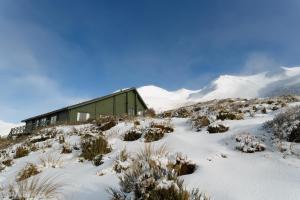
{"x": 57, "y": 52}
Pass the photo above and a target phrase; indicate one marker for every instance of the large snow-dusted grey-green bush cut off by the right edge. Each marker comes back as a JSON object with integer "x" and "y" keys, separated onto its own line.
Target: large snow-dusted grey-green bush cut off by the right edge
{"x": 286, "y": 125}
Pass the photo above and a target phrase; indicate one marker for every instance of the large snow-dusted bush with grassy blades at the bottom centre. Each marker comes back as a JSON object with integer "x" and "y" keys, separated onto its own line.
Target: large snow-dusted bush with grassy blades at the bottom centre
{"x": 149, "y": 178}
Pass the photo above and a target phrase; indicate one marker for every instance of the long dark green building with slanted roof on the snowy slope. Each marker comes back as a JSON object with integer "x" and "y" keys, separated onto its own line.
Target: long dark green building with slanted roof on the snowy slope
{"x": 125, "y": 102}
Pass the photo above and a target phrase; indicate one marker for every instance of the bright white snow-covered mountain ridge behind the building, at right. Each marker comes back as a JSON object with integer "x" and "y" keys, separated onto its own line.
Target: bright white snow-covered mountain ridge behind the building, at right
{"x": 272, "y": 83}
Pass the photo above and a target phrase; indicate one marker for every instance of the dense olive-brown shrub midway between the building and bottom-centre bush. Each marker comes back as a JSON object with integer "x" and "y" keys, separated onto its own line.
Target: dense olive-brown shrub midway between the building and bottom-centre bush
{"x": 94, "y": 146}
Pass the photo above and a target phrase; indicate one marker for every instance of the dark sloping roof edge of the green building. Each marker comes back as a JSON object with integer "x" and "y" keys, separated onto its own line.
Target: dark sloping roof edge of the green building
{"x": 87, "y": 102}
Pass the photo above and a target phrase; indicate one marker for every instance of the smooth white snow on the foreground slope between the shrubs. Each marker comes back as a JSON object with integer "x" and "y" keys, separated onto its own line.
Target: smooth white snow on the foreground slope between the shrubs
{"x": 222, "y": 171}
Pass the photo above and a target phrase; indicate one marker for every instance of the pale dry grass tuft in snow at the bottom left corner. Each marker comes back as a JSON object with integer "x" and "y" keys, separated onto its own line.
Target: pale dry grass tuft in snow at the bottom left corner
{"x": 36, "y": 188}
